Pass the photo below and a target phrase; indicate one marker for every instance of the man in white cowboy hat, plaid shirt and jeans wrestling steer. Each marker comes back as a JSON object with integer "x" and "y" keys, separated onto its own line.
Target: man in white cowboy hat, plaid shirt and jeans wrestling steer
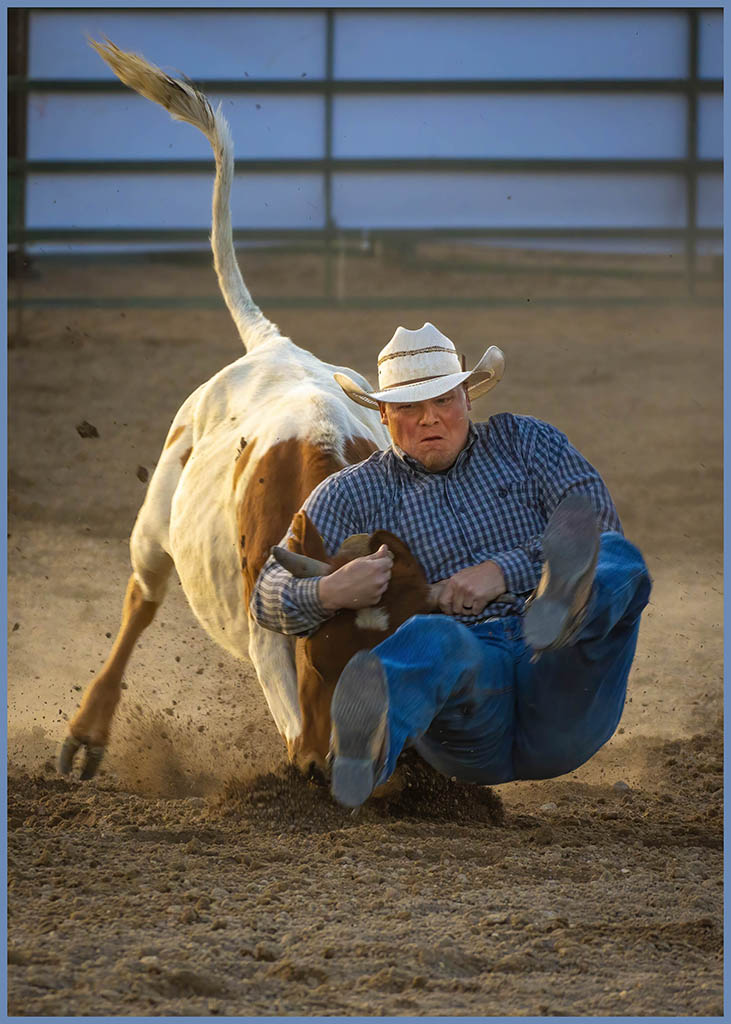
{"x": 524, "y": 673}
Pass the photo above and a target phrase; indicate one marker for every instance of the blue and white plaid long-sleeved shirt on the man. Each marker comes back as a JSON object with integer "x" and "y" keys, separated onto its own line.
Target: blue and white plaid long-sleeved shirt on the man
{"x": 493, "y": 504}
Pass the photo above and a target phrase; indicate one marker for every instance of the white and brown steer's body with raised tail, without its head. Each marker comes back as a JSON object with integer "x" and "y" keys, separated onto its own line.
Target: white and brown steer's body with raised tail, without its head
{"x": 242, "y": 455}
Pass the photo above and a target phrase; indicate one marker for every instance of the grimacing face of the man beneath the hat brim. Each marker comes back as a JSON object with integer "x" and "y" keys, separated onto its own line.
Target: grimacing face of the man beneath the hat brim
{"x": 434, "y": 432}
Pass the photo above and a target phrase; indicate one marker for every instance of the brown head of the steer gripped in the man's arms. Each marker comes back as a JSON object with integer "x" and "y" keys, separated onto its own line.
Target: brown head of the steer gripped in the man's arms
{"x": 323, "y": 657}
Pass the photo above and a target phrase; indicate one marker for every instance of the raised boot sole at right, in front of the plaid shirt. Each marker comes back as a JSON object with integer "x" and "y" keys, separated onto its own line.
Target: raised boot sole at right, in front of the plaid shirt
{"x": 571, "y": 545}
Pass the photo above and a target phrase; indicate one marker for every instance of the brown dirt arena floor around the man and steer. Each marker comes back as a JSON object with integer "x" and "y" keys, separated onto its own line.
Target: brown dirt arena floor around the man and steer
{"x": 198, "y": 876}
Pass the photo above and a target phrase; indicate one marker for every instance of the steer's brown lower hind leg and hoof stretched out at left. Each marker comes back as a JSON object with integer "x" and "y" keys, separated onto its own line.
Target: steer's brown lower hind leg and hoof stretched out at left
{"x": 93, "y": 722}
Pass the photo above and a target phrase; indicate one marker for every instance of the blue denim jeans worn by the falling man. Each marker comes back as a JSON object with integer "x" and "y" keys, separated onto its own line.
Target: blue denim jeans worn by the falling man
{"x": 475, "y": 706}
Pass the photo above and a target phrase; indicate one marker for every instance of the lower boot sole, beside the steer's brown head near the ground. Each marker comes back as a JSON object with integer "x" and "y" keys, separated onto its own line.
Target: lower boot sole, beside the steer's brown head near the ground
{"x": 359, "y": 714}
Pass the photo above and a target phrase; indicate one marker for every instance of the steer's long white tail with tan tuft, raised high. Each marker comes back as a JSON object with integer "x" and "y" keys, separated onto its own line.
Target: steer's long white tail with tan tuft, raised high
{"x": 184, "y": 102}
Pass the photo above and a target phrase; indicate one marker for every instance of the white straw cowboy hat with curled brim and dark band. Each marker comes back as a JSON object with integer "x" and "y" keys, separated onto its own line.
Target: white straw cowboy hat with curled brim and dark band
{"x": 424, "y": 364}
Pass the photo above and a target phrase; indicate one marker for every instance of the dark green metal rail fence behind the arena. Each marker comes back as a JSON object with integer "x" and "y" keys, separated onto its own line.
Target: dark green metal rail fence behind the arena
{"x": 332, "y": 239}
